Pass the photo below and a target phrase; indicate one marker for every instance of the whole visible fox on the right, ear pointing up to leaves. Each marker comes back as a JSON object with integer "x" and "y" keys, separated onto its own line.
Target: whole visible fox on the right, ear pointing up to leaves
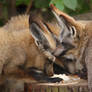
{"x": 76, "y": 40}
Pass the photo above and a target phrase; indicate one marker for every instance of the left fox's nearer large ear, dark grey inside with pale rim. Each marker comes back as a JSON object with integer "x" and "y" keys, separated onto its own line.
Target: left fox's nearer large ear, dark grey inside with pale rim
{"x": 37, "y": 33}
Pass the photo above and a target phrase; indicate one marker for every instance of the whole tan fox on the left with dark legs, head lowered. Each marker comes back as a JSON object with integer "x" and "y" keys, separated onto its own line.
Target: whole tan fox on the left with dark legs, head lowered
{"x": 26, "y": 45}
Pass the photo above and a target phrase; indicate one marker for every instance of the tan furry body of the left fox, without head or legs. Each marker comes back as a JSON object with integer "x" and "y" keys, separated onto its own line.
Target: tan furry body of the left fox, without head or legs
{"x": 15, "y": 45}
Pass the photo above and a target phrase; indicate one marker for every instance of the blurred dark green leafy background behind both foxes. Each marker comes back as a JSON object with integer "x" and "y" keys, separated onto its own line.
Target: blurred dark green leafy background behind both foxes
{"x": 9, "y": 8}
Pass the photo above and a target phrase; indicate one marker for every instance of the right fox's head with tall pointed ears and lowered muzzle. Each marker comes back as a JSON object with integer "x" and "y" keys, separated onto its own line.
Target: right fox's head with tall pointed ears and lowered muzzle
{"x": 70, "y": 37}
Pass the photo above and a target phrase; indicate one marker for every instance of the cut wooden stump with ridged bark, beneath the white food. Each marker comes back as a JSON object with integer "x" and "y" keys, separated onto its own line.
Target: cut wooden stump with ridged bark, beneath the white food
{"x": 57, "y": 87}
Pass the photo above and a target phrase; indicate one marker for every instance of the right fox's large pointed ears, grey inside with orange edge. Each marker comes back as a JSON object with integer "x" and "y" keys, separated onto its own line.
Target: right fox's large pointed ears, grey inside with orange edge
{"x": 69, "y": 33}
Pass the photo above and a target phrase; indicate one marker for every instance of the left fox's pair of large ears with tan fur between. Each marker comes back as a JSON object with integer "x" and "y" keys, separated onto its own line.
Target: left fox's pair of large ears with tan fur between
{"x": 40, "y": 32}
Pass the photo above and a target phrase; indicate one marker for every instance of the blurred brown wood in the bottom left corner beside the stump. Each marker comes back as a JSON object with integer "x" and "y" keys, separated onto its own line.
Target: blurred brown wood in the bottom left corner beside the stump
{"x": 12, "y": 85}
